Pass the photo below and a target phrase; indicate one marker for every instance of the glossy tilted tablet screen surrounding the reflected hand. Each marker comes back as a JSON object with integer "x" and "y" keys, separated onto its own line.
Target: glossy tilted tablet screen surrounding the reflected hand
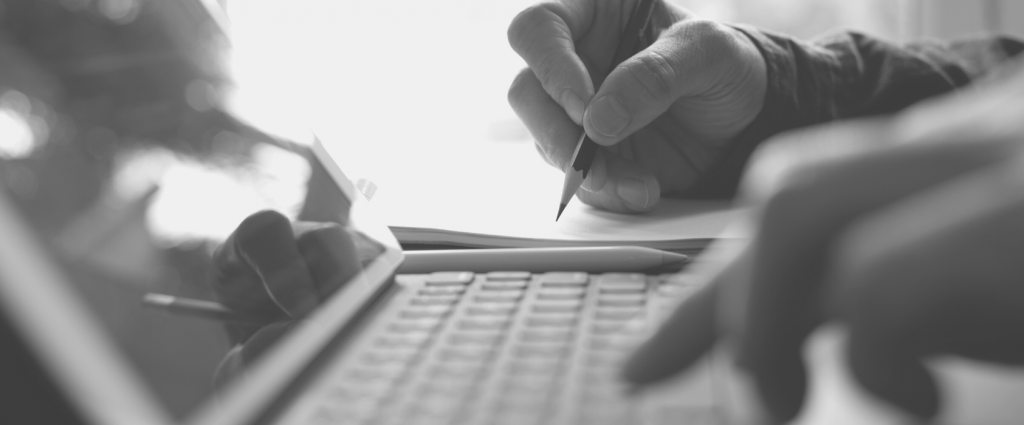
{"x": 133, "y": 186}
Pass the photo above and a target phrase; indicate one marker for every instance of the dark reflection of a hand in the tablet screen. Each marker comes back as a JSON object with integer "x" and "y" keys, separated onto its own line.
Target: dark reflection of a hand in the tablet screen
{"x": 280, "y": 272}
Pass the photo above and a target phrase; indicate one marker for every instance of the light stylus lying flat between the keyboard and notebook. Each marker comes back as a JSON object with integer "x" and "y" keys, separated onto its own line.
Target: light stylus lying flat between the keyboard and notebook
{"x": 590, "y": 260}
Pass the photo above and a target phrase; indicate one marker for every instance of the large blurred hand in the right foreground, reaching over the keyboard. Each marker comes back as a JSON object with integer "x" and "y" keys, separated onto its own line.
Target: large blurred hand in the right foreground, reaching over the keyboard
{"x": 908, "y": 233}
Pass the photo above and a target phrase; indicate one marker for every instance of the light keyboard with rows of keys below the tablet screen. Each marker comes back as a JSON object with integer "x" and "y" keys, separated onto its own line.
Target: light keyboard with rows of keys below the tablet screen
{"x": 507, "y": 349}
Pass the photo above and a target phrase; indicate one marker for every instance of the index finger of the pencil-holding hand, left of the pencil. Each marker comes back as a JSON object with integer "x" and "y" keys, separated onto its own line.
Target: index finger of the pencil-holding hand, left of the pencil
{"x": 544, "y": 35}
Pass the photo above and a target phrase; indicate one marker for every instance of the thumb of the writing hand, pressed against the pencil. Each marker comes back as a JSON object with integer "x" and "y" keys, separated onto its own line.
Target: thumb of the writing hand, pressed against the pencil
{"x": 684, "y": 62}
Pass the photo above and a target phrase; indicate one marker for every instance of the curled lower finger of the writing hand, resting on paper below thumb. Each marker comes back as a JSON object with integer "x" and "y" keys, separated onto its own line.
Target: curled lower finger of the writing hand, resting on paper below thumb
{"x": 616, "y": 184}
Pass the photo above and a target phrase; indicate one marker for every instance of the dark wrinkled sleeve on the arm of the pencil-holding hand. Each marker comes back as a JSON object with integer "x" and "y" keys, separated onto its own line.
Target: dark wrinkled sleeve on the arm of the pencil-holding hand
{"x": 848, "y": 75}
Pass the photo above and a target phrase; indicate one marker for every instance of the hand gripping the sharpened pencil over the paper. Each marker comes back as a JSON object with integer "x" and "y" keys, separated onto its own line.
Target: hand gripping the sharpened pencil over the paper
{"x": 665, "y": 116}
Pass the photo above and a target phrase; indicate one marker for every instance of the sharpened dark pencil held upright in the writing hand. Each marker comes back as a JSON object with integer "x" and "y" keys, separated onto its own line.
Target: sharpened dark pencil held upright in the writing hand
{"x": 587, "y": 149}
